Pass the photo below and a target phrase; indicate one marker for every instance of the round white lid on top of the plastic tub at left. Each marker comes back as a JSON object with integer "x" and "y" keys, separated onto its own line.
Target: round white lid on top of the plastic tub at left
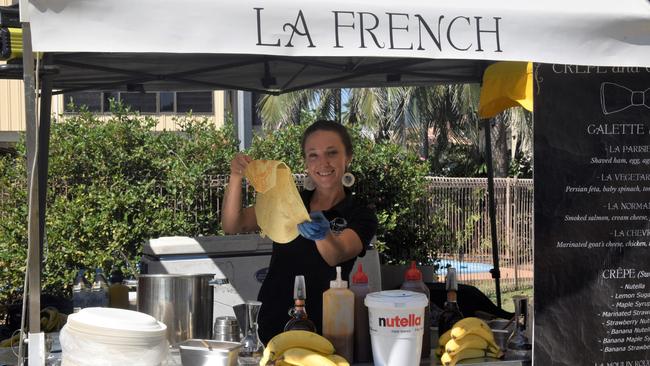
{"x": 116, "y": 323}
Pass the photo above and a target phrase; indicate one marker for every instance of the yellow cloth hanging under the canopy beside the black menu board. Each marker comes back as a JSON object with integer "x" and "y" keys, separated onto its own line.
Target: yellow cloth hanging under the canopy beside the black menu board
{"x": 506, "y": 84}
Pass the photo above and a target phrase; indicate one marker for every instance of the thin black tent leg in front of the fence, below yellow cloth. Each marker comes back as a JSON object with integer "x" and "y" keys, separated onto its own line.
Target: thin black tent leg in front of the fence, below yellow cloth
{"x": 496, "y": 274}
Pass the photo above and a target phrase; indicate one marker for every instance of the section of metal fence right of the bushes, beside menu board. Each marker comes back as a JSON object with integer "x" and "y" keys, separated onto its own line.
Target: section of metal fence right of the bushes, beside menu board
{"x": 464, "y": 202}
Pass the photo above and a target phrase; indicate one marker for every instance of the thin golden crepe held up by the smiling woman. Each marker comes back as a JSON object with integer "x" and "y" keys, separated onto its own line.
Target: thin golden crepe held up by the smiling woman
{"x": 278, "y": 206}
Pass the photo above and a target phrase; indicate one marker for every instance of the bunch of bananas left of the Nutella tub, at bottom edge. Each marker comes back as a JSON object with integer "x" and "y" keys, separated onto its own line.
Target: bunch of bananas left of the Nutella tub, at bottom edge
{"x": 300, "y": 348}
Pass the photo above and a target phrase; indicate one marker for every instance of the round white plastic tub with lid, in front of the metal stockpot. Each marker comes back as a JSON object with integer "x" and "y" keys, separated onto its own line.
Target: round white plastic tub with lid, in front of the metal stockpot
{"x": 113, "y": 337}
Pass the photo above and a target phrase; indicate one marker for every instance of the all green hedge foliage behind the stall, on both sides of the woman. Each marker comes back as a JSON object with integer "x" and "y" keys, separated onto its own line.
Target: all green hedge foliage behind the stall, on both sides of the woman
{"x": 113, "y": 184}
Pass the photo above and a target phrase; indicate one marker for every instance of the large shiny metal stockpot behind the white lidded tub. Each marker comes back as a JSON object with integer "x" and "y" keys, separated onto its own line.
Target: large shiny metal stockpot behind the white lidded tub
{"x": 183, "y": 302}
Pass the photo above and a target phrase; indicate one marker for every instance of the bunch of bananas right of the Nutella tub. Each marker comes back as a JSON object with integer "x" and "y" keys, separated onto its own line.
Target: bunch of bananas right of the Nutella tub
{"x": 468, "y": 338}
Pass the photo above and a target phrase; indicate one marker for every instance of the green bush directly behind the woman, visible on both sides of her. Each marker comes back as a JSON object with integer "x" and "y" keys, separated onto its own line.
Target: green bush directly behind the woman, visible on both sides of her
{"x": 388, "y": 178}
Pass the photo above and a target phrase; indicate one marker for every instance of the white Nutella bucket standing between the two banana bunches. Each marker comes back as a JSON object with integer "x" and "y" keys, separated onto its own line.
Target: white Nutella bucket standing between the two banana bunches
{"x": 396, "y": 320}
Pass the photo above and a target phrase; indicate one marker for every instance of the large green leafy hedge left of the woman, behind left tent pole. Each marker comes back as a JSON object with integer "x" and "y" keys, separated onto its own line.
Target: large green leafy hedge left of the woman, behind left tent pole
{"x": 112, "y": 185}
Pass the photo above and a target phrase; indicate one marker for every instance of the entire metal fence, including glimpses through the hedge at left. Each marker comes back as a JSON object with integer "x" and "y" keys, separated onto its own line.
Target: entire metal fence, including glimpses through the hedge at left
{"x": 463, "y": 204}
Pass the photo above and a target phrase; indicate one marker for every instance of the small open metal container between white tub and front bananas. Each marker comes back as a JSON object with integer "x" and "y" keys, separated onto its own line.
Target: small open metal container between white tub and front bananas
{"x": 218, "y": 353}
